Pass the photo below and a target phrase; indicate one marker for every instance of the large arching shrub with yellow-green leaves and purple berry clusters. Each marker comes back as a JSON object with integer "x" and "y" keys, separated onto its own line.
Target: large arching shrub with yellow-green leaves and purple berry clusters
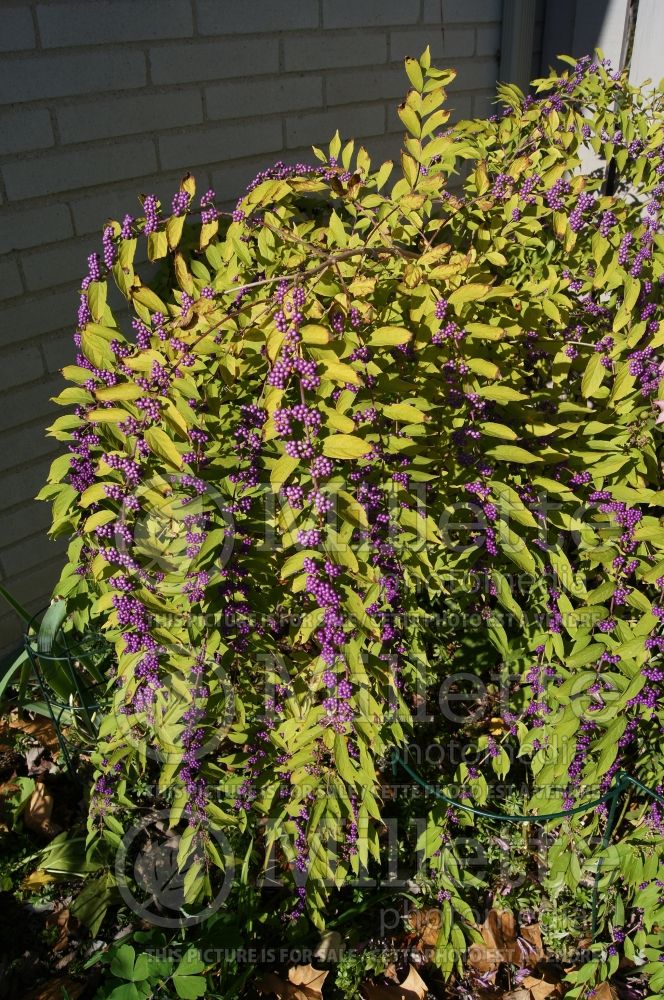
{"x": 348, "y": 404}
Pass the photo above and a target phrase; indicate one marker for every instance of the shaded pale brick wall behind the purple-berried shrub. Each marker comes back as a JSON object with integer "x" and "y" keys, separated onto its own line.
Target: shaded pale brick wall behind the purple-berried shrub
{"x": 102, "y": 99}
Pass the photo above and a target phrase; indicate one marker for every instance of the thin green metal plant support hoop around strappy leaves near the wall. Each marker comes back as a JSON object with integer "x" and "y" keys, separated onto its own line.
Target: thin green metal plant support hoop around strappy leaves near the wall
{"x": 67, "y": 658}
